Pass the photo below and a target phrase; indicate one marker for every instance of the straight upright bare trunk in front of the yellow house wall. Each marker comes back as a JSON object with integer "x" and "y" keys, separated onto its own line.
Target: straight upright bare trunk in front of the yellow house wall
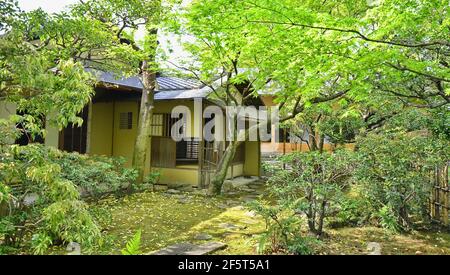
{"x": 143, "y": 140}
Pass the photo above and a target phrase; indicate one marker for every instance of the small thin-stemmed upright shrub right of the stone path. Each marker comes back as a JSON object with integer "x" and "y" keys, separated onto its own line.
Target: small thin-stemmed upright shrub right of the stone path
{"x": 313, "y": 184}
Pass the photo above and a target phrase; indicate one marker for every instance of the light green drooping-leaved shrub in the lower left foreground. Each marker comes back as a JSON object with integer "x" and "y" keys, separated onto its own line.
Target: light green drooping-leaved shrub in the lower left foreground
{"x": 43, "y": 208}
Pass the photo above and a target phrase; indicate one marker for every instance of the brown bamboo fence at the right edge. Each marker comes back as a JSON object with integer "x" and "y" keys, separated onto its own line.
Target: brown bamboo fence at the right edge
{"x": 440, "y": 195}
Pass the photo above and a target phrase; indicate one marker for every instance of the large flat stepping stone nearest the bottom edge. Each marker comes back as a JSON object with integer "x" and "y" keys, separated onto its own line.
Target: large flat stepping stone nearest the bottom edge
{"x": 191, "y": 249}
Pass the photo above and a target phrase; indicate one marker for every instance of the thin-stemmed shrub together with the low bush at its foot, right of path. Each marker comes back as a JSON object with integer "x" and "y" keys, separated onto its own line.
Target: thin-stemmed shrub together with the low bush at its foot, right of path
{"x": 309, "y": 189}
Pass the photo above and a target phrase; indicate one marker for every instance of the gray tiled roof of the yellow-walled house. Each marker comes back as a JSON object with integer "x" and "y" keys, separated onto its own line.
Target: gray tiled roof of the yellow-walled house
{"x": 167, "y": 88}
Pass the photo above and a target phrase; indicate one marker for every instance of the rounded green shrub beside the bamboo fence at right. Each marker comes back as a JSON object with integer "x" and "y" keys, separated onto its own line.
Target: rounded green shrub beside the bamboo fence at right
{"x": 395, "y": 172}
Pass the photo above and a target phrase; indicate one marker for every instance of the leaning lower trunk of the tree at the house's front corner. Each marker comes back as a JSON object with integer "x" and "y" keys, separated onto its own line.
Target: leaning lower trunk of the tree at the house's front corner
{"x": 215, "y": 187}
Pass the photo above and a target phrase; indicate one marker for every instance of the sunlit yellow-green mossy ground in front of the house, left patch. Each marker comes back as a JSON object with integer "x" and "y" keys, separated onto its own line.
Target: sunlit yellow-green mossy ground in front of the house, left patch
{"x": 168, "y": 219}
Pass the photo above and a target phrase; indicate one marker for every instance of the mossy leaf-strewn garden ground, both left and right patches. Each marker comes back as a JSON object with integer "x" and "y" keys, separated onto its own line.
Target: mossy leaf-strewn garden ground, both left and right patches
{"x": 167, "y": 219}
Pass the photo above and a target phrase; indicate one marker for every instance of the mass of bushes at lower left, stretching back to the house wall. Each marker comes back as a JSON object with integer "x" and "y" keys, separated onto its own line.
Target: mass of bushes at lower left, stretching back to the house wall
{"x": 40, "y": 200}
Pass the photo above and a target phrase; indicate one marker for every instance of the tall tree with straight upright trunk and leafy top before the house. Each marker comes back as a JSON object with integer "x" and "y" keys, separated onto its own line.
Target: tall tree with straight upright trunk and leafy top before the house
{"x": 124, "y": 19}
